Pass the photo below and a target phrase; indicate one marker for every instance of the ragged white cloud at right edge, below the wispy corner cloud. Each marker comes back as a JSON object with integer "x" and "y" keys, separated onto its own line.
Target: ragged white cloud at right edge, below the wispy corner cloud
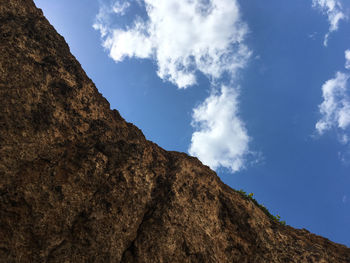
{"x": 335, "y": 108}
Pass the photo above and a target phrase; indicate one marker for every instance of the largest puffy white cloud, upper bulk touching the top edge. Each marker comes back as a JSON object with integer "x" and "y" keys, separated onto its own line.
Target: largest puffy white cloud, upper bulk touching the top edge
{"x": 183, "y": 37}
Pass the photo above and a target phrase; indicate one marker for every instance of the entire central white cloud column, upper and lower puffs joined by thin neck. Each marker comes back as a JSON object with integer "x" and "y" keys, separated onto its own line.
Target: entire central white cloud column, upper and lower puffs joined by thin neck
{"x": 184, "y": 38}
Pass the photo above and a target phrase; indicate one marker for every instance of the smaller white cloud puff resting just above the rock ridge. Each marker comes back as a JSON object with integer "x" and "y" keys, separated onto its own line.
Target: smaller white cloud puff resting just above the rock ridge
{"x": 221, "y": 138}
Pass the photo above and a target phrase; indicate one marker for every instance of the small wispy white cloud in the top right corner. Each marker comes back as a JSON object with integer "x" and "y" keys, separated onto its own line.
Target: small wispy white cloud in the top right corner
{"x": 333, "y": 9}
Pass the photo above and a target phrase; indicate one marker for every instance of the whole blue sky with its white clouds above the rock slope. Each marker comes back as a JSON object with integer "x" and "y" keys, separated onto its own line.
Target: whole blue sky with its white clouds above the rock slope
{"x": 257, "y": 90}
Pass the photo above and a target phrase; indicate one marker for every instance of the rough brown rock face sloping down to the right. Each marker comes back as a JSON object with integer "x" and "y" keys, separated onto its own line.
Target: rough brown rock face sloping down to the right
{"x": 80, "y": 184}
